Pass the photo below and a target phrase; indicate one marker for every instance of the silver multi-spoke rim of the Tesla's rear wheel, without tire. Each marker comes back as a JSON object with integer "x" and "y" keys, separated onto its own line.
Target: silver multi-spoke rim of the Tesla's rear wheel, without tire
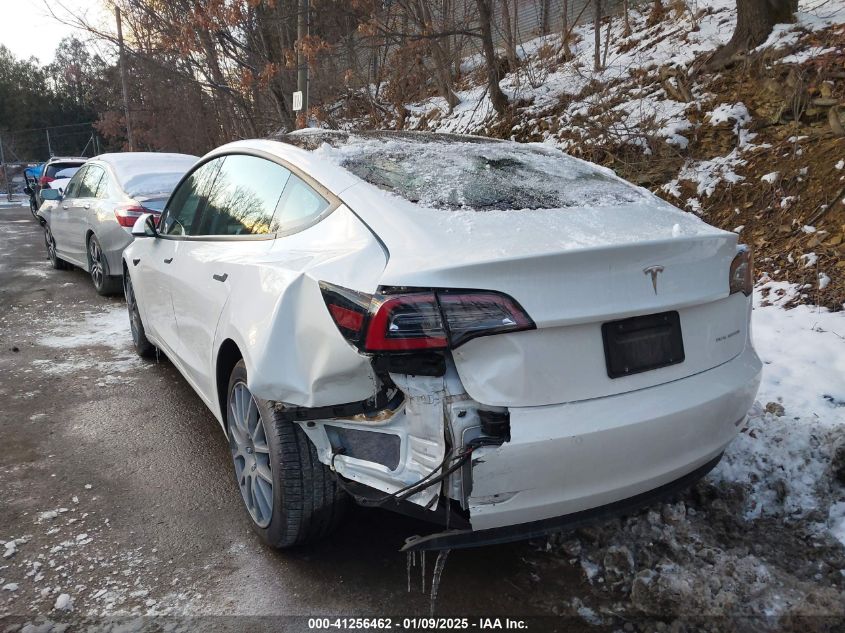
{"x": 251, "y": 454}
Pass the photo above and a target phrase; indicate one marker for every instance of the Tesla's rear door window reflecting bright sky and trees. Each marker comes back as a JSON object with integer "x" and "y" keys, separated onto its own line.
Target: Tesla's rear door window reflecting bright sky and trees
{"x": 244, "y": 196}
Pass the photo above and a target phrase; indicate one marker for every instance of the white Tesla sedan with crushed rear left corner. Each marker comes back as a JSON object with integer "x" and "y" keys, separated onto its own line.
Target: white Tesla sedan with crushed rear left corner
{"x": 493, "y": 336}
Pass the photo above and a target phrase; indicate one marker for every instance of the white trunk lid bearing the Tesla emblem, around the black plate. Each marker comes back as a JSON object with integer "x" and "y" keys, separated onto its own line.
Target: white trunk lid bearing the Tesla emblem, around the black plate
{"x": 573, "y": 271}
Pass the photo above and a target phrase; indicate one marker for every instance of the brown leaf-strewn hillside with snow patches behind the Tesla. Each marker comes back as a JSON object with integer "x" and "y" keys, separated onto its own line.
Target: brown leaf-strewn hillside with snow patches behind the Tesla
{"x": 750, "y": 148}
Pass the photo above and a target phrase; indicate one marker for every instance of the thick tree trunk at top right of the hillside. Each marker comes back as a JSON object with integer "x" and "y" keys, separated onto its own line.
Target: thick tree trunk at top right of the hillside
{"x": 755, "y": 20}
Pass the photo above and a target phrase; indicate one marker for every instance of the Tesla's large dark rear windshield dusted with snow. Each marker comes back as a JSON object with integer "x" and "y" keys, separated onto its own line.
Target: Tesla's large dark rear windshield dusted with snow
{"x": 452, "y": 172}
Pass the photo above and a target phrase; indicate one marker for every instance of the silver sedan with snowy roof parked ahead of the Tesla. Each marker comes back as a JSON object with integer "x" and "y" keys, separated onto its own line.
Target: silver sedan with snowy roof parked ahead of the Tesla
{"x": 91, "y": 224}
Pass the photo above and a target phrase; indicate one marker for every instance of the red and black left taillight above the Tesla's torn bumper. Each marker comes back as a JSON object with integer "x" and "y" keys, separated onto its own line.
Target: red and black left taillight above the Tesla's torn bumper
{"x": 421, "y": 320}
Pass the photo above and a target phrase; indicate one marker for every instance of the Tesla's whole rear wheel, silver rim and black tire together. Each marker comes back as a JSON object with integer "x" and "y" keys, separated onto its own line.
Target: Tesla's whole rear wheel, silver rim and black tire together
{"x": 290, "y": 496}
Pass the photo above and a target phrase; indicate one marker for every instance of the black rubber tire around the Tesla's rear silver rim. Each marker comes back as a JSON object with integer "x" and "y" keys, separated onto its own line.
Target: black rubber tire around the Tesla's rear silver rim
{"x": 308, "y": 504}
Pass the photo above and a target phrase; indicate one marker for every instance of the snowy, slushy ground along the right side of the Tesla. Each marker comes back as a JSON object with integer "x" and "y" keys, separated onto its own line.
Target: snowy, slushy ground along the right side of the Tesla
{"x": 763, "y": 535}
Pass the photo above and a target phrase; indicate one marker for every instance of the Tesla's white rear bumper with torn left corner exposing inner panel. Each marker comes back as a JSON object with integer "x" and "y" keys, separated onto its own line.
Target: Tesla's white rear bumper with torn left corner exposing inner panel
{"x": 554, "y": 467}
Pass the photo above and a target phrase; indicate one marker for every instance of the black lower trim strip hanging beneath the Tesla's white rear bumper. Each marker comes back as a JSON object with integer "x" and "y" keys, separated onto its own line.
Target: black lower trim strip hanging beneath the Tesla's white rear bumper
{"x": 463, "y": 539}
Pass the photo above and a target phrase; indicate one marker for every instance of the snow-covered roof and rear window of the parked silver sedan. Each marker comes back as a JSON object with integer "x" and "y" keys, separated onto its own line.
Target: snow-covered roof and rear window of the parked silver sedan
{"x": 148, "y": 173}
